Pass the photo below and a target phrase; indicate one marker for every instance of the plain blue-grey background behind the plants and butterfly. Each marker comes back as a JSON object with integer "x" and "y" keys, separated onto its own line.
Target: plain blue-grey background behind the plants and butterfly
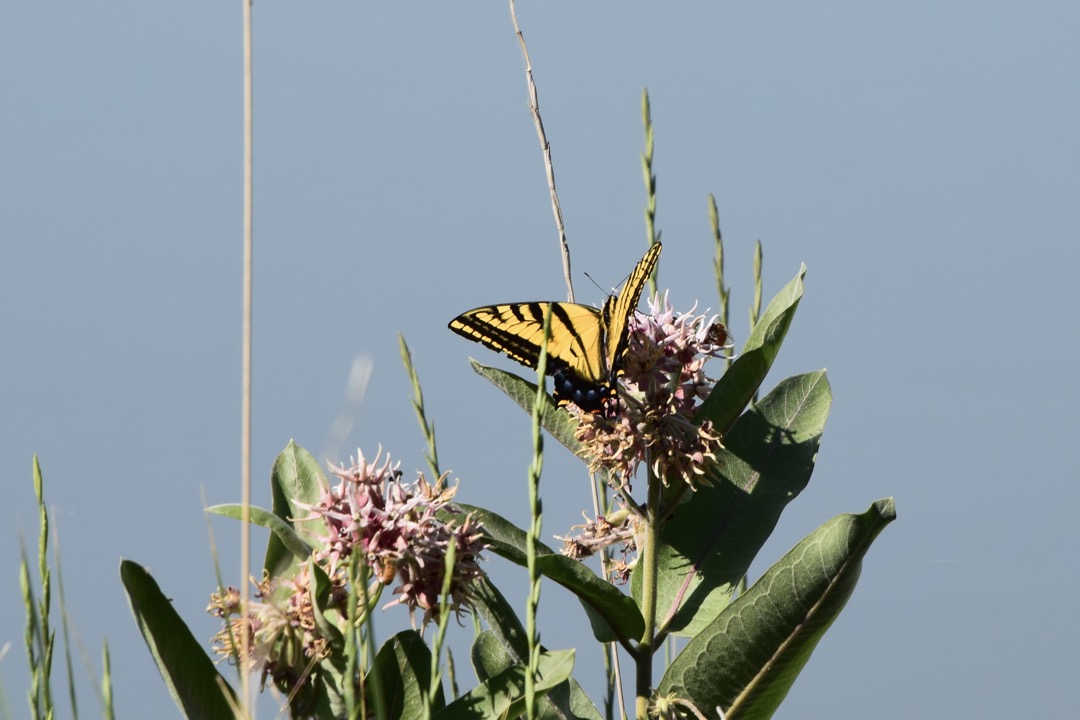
{"x": 922, "y": 159}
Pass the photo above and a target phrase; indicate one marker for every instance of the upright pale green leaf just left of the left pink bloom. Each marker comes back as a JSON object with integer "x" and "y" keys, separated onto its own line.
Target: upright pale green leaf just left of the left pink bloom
{"x": 295, "y": 478}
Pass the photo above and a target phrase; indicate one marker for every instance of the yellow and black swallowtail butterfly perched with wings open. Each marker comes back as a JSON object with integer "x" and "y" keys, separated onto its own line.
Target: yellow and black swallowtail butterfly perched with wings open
{"x": 586, "y": 345}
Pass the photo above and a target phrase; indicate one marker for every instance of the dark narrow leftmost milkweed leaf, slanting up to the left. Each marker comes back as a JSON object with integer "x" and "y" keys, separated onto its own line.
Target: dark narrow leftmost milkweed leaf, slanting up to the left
{"x": 192, "y": 677}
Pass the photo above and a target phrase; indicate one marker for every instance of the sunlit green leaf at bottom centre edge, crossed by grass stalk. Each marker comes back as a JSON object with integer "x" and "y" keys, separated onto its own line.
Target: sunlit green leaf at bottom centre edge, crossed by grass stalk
{"x": 503, "y": 696}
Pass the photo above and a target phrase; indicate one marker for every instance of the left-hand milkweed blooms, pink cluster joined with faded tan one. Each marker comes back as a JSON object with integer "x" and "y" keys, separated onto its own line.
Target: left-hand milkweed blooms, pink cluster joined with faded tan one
{"x": 401, "y": 532}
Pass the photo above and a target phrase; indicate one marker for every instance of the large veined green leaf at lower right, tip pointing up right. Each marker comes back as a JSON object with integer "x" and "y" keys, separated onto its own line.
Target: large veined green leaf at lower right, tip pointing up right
{"x": 748, "y": 659}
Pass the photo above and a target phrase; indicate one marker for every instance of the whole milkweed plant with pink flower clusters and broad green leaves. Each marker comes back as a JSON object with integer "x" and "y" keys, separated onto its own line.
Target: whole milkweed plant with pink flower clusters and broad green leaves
{"x": 693, "y": 471}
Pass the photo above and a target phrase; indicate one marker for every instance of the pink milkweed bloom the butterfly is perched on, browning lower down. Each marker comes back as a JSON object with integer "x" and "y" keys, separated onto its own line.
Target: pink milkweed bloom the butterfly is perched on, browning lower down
{"x": 653, "y": 420}
